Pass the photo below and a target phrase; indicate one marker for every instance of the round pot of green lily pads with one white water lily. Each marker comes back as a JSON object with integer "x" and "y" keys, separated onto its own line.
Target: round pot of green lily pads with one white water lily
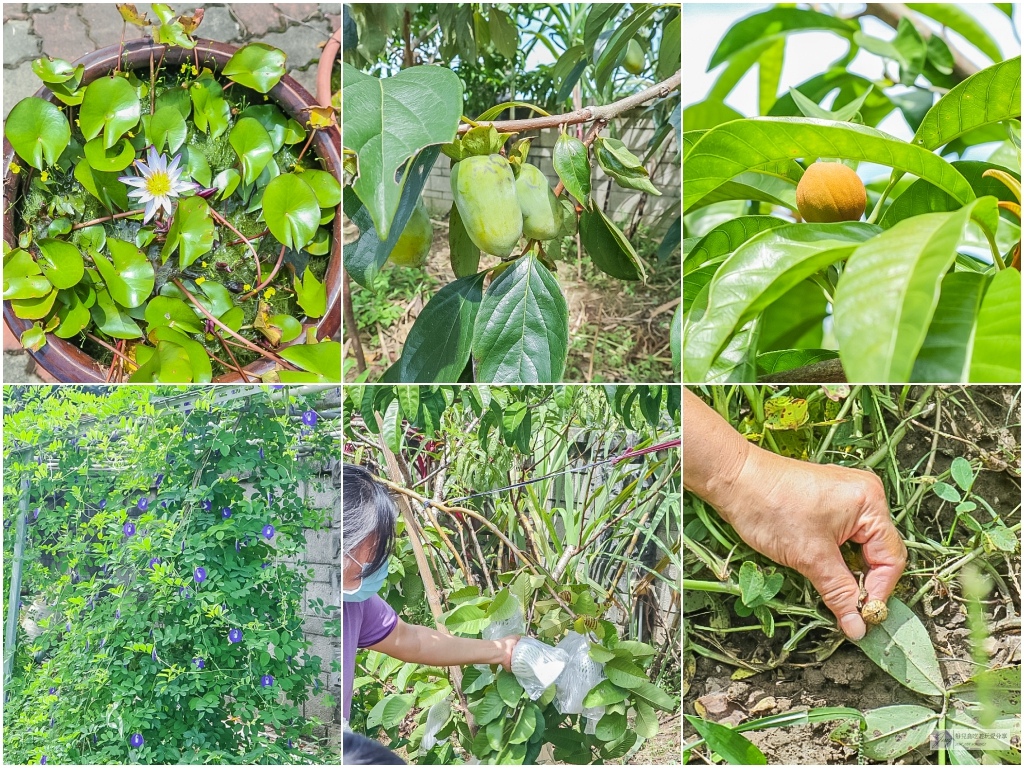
{"x": 172, "y": 215}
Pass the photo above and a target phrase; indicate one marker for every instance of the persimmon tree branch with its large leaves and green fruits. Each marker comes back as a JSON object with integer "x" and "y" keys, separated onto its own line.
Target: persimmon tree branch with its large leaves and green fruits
{"x": 504, "y": 323}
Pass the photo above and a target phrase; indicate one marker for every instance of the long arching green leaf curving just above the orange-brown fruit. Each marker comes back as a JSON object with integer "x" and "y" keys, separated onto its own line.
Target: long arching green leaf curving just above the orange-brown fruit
{"x": 732, "y": 149}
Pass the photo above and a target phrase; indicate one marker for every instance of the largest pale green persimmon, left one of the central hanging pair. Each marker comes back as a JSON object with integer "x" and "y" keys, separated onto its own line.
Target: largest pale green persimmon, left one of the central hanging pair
{"x": 485, "y": 192}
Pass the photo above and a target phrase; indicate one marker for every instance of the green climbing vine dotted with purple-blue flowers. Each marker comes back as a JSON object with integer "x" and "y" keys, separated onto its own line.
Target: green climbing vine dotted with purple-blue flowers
{"x": 165, "y": 627}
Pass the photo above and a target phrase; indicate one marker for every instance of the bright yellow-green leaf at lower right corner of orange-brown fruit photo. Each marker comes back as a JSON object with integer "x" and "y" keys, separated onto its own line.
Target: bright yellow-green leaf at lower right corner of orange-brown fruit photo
{"x": 998, "y": 340}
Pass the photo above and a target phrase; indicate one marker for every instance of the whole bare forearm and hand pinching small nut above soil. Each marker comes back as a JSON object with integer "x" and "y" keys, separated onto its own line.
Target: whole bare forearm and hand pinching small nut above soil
{"x": 795, "y": 513}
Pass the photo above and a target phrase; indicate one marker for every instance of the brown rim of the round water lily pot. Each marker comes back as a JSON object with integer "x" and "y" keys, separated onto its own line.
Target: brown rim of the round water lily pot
{"x": 65, "y": 361}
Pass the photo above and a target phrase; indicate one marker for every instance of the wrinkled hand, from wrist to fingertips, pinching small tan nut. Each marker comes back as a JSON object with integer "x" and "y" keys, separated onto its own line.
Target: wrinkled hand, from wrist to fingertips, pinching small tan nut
{"x": 799, "y": 514}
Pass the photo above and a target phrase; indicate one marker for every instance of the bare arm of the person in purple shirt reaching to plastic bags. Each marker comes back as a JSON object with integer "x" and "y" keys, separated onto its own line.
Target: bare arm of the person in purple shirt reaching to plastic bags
{"x": 410, "y": 643}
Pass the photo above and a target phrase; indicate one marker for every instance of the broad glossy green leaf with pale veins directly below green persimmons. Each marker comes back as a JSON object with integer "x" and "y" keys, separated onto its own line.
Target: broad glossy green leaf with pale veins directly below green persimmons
{"x": 522, "y": 332}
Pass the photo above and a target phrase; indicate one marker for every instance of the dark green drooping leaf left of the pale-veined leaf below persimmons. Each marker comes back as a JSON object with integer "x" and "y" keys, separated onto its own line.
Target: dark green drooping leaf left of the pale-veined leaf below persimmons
{"x": 441, "y": 342}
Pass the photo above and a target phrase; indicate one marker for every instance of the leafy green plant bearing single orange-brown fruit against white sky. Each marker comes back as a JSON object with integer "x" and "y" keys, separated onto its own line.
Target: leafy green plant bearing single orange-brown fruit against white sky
{"x": 782, "y": 275}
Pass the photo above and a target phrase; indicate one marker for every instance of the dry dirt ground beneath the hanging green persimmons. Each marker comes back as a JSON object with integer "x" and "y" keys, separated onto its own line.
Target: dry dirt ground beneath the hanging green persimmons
{"x": 618, "y": 331}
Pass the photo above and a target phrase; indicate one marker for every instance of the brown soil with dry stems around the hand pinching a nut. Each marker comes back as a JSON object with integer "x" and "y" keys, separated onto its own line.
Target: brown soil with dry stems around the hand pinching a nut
{"x": 846, "y": 677}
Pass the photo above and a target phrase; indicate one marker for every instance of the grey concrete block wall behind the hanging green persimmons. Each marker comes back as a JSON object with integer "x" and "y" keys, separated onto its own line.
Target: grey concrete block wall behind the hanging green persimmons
{"x": 665, "y": 168}
